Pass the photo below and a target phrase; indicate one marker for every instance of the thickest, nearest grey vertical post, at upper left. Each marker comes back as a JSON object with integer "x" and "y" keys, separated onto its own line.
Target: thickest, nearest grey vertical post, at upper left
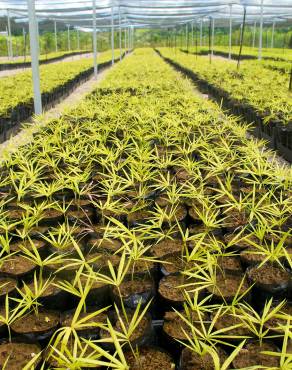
{"x": 34, "y": 57}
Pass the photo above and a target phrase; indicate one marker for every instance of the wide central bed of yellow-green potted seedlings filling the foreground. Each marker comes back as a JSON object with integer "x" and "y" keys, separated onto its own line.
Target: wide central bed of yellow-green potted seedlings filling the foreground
{"x": 145, "y": 229}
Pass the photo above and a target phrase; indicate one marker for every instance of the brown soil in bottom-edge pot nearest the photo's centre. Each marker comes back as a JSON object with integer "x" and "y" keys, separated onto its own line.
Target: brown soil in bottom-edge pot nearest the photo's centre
{"x": 149, "y": 359}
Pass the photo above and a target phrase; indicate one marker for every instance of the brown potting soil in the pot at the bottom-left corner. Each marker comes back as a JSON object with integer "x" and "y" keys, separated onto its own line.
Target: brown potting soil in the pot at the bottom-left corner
{"x": 18, "y": 355}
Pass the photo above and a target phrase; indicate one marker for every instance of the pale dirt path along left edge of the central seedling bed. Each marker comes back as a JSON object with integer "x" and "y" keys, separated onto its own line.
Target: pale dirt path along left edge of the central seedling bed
{"x": 25, "y": 134}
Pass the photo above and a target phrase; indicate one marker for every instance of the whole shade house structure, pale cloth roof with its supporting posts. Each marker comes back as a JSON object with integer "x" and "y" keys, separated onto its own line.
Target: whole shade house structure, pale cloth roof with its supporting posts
{"x": 127, "y": 15}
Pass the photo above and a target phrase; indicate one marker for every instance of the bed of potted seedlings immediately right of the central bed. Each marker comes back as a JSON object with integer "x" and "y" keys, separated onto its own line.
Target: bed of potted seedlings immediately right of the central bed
{"x": 244, "y": 94}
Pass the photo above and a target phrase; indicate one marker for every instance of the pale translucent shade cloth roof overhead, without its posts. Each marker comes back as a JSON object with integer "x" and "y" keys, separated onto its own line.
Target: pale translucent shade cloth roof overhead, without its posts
{"x": 145, "y": 13}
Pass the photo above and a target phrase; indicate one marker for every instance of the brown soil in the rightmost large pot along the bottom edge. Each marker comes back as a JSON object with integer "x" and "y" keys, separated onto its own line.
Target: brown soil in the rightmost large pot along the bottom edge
{"x": 251, "y": 355}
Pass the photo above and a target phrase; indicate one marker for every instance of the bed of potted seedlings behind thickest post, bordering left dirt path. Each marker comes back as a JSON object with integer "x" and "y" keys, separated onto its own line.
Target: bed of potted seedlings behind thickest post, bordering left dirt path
{"x": 57, "y": 80}
